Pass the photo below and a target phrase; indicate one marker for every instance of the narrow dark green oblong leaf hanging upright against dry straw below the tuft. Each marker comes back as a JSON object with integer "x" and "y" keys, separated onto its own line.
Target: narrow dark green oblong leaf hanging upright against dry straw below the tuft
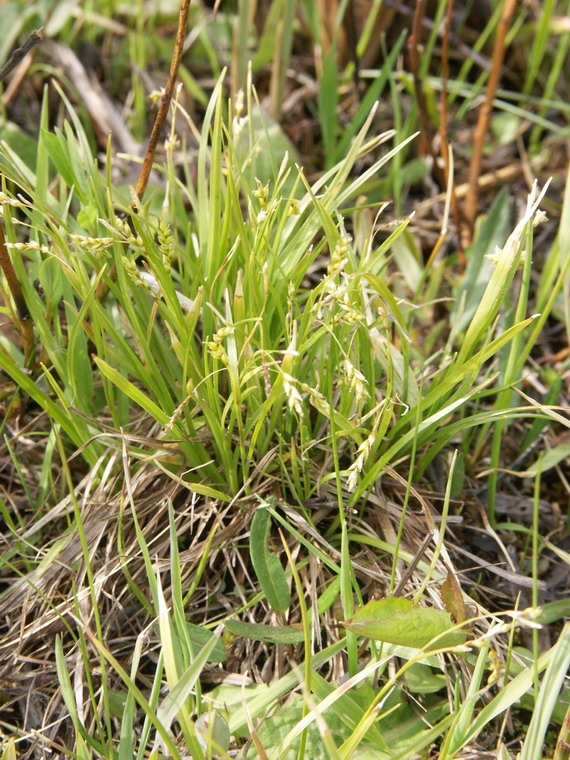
{"x": 267, "y": 566}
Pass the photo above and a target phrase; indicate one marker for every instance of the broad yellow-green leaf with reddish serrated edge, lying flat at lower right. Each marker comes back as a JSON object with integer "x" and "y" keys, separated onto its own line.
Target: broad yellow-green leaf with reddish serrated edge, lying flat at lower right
{"x": 398, "y": 621}
